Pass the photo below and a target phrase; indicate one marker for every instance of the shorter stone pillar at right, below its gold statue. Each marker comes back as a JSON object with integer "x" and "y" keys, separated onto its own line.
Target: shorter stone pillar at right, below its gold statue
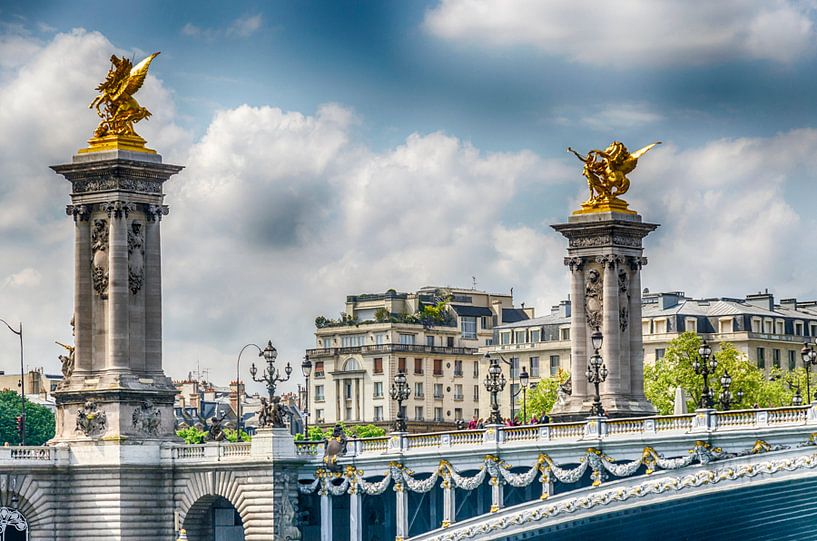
{"x": 605, "y": 294}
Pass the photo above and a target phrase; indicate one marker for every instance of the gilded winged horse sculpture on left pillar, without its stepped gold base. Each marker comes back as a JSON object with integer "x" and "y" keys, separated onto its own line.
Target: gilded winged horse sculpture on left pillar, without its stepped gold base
{"x": 115, "y": 104}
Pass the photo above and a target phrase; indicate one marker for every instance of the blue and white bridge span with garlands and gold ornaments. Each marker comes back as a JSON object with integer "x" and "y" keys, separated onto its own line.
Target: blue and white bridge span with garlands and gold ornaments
{"x": 747, "y": 474}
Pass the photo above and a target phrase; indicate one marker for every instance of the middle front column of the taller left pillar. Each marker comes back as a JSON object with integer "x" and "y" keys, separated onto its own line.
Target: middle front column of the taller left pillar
{"x": 118, "y": 313}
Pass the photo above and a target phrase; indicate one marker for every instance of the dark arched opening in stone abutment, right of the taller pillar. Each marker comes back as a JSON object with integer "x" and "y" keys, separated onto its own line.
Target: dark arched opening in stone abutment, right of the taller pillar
{"x": 213, "y": 518}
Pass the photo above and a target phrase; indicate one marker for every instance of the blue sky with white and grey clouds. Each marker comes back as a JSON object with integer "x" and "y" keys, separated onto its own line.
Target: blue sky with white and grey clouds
{"x": 334, "y": 148}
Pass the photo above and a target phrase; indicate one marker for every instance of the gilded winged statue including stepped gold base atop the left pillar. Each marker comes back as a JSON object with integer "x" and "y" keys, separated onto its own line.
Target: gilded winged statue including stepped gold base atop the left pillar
{"x": 117, "y": 107}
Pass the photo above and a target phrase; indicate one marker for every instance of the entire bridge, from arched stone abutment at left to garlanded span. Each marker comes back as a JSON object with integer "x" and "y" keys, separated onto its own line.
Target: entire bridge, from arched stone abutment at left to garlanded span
{"x": 496, "y": 483}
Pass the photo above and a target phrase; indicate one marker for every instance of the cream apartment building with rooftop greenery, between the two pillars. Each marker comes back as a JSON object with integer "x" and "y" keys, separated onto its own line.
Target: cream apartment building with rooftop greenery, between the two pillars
{"x": 431, "y": 335}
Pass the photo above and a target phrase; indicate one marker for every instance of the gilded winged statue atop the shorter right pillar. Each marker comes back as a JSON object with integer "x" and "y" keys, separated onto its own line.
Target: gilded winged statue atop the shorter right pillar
{"x": 606, "y": 173}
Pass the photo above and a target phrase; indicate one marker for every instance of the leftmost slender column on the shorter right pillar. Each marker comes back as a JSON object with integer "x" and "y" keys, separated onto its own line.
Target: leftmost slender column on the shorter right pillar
{"x": 578, "y": 328}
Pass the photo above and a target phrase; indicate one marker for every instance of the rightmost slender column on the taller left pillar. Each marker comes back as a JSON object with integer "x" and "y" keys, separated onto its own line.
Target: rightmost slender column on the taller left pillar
{"x": 153, "y": 289}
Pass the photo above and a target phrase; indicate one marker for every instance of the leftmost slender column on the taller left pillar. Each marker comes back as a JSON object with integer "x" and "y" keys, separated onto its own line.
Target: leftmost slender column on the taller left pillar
{"x": 83, "y": 291}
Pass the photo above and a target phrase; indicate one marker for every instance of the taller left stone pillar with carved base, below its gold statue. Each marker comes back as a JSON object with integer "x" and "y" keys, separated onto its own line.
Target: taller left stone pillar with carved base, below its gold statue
{"x": 116, "y": 389}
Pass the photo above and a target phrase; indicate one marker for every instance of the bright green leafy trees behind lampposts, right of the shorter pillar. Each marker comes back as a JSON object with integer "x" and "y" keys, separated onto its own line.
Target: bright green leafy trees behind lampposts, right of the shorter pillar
{"x": 675, "y": 370}
